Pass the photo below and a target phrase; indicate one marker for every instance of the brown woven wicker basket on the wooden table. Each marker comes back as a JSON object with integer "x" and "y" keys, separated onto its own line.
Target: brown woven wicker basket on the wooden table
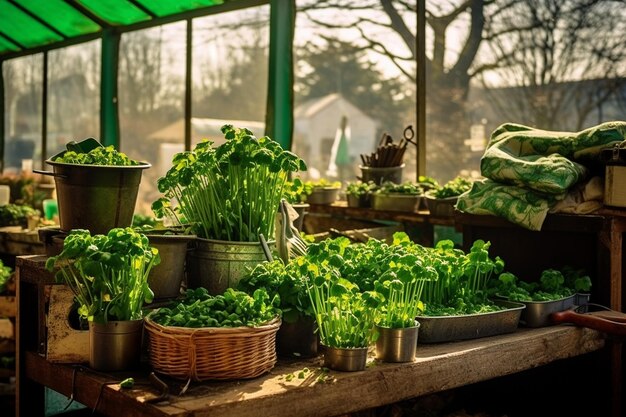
{"x": 212, "y": 352}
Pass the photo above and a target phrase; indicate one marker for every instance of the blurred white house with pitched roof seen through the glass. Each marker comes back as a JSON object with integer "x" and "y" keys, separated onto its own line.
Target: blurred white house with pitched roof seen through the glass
{"x": 315, "y": 125}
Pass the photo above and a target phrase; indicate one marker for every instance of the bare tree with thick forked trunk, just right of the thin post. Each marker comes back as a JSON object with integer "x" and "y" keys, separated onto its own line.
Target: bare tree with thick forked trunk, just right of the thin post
{"x": 388, "y": 29}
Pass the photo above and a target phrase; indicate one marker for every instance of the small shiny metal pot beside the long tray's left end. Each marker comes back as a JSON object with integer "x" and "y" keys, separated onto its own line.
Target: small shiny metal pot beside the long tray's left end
{"x": 397, "y": 345}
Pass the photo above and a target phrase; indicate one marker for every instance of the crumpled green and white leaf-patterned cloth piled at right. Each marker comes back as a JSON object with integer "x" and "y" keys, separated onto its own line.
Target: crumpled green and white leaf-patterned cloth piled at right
{"x": 527, "y": 171}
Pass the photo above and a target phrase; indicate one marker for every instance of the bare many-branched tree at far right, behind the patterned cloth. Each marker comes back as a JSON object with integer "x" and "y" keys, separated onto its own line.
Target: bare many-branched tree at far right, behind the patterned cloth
{"x": 563, "y": 61}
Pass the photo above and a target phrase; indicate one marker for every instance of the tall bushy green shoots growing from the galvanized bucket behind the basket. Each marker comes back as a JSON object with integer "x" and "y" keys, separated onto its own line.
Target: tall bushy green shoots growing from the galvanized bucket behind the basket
{"x": 230, "y": 192}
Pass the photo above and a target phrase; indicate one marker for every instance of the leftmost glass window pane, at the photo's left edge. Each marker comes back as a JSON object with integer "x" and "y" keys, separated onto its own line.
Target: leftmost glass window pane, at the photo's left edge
{"x": 22, "y": 83}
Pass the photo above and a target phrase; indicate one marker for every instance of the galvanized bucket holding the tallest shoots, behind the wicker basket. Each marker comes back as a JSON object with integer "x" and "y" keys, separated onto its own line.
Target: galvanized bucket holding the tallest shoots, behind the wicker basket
{"x": 219, "y": 264}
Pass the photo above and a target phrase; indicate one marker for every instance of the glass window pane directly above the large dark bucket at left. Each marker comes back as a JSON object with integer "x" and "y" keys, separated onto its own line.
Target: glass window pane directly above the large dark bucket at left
{"x": 73, "y": 95}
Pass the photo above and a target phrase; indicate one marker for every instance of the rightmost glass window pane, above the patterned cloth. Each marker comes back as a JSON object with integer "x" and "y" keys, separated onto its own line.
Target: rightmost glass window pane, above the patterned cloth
{"x": 533, "y": 63}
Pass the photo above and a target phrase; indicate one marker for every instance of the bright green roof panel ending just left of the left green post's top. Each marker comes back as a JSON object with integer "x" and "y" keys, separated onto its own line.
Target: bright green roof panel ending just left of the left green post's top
{"x": 63, "y": 17}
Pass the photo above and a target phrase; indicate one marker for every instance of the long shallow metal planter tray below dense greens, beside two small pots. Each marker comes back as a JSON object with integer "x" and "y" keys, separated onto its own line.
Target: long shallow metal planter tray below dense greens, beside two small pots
{"x": 437, "y": 329}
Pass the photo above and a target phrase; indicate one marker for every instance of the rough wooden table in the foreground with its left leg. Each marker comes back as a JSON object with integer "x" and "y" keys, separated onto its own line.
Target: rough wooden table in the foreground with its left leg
{"x": 281, "y": 392}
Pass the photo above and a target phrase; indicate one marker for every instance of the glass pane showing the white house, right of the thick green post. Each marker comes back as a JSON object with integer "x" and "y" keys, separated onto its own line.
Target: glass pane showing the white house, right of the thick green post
{"x": 353, "y": 59}
